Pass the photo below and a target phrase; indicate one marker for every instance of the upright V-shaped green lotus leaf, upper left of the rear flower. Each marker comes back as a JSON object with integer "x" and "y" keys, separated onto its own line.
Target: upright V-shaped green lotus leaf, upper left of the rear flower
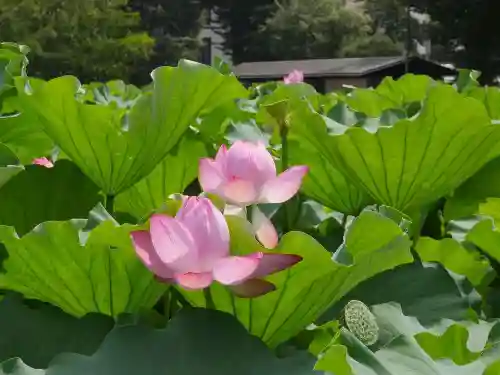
{"x": 116, "y": 147}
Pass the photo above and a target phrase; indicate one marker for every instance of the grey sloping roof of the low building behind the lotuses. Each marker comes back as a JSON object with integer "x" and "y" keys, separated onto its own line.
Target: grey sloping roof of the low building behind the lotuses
{"x": 350, "y": 67}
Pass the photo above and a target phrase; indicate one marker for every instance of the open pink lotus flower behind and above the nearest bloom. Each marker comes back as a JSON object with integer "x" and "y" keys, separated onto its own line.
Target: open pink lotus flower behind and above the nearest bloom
{"x": 245, "y": 174}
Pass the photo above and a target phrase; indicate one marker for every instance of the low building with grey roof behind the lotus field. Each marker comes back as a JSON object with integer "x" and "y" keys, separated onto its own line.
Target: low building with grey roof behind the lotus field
{"x": 331, "y": 74}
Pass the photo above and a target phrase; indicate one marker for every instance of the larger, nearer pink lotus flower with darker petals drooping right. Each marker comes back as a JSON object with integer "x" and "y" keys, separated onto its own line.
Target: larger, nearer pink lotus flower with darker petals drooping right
{"x": 192, "y": 250}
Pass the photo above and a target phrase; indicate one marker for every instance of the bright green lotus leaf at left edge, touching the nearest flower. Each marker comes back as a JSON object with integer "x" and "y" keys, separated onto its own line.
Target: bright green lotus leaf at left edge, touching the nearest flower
{"x": 81, "y": 266}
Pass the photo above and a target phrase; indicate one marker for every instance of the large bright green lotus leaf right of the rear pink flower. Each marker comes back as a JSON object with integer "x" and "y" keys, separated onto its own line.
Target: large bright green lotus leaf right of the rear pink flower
{"x": 416, "y": 161}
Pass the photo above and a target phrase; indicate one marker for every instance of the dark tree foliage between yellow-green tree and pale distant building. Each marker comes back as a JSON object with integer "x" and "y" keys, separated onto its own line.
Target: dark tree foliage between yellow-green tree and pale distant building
{"x": 175, "y": 26}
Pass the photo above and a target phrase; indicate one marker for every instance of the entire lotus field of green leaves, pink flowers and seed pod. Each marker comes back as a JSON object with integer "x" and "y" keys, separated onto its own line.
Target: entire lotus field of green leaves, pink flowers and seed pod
{"x": 388, "y": 258}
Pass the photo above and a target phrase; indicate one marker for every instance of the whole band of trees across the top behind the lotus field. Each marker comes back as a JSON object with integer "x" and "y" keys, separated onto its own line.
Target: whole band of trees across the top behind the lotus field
{"x": 99, "y": 40}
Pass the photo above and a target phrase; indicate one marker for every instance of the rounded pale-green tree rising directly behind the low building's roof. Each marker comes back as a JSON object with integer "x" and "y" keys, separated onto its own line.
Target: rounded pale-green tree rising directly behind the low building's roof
{"x": 302, "y": 29}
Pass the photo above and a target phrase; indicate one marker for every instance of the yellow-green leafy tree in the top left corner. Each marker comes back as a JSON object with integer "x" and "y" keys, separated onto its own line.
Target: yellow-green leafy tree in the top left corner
{"x": 92, "y": 39}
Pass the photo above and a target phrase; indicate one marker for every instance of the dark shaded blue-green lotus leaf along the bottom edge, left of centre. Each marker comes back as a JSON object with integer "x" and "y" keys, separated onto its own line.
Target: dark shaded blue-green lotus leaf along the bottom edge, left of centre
{"x": 194, "y": 341}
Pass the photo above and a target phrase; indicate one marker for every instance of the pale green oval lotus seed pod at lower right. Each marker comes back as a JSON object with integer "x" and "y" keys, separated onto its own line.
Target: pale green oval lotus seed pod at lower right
{"x": 358, "y": 319}
